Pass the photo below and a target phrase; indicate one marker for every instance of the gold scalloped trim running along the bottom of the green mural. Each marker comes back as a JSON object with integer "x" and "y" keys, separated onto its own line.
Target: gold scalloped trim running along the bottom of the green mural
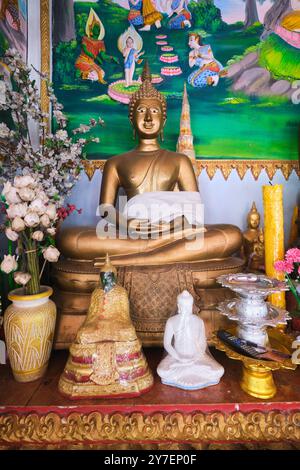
{"x": 225, "y": 166}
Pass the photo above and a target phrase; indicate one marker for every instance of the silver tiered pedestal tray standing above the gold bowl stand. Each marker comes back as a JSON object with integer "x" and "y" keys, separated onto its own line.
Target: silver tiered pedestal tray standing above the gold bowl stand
{"x": 250, "y": 309}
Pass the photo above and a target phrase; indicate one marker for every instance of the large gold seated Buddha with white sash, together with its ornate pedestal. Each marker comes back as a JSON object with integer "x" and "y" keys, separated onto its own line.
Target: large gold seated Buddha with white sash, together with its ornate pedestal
{"x": 166, "y": 260}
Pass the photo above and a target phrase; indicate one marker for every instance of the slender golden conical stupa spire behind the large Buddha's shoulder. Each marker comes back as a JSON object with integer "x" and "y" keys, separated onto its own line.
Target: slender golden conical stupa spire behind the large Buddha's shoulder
{"x": 185, "y": 140}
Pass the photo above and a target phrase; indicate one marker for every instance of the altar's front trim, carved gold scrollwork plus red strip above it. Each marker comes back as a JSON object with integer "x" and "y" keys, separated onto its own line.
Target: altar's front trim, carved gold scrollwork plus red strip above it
{"x": 230, "y": 423}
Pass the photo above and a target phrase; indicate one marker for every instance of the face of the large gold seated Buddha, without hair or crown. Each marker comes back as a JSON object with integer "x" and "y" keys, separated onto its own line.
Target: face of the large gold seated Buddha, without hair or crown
{"x": 148, "y": 118}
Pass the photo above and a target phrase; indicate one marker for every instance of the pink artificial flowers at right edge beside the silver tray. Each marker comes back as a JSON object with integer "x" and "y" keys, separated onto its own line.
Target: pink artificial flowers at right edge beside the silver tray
{"x": 290, "y": 266}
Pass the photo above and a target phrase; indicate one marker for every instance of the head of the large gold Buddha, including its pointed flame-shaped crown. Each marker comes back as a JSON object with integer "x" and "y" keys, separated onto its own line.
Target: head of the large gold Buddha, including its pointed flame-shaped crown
{"x": 147, "y": 108}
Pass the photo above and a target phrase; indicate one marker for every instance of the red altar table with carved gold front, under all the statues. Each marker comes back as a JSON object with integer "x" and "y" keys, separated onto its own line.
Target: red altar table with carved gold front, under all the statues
{"x": 35, "y": 414}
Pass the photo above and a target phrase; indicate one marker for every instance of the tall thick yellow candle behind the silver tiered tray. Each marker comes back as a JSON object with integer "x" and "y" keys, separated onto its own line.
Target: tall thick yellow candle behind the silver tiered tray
{"x": 274, "y": 236}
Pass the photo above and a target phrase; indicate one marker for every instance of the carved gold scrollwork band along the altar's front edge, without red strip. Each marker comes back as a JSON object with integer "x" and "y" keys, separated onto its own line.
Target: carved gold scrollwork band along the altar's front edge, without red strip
{"x": 96, "y": 427}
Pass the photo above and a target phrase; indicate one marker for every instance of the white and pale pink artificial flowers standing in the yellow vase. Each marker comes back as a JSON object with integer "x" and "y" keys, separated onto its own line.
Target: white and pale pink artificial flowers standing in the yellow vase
{"x": 36, "y": 178}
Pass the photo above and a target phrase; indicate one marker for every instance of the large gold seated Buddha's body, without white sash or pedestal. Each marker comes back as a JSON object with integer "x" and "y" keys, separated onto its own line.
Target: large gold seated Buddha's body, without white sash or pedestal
{"x": 143, "y": 171}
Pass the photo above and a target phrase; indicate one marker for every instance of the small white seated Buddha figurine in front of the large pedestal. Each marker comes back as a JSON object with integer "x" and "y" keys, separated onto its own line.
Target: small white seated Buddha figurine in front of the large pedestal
{"x": 188, "y": 364}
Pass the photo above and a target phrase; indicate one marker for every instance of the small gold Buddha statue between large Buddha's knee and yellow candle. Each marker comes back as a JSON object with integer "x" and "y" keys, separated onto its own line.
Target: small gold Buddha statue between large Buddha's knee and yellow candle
{"x": 253, "y": 241}
